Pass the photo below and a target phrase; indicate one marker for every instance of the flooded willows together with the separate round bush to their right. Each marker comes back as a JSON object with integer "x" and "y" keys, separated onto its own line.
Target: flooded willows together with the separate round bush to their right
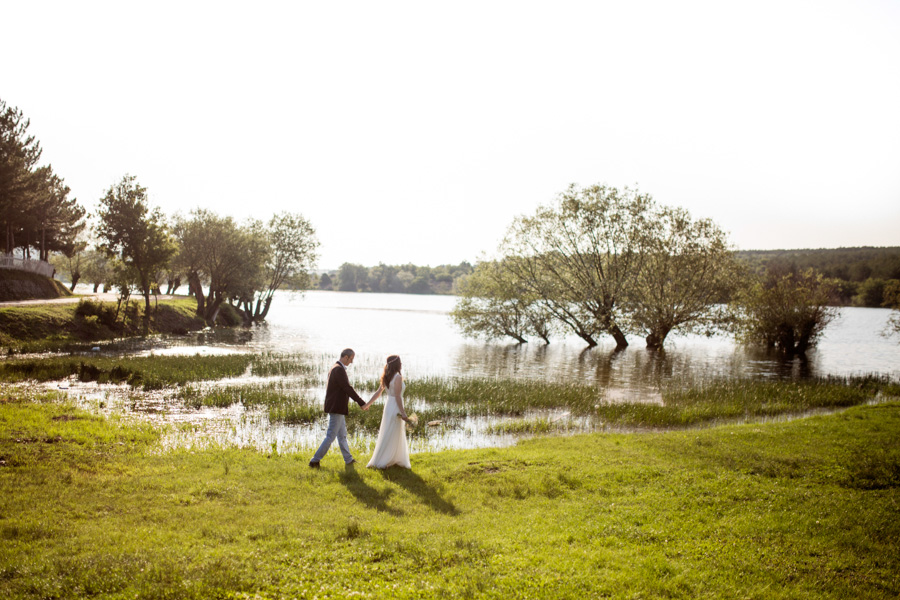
{"x": 602, "y": 261}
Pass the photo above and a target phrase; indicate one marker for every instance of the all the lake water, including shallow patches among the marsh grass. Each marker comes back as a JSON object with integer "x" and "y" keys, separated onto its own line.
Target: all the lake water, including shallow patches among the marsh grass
{"x": 319, "y": 324}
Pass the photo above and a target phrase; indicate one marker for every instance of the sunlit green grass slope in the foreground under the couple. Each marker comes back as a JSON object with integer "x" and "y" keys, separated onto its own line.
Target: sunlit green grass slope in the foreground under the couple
{"x": 804, "y": 509}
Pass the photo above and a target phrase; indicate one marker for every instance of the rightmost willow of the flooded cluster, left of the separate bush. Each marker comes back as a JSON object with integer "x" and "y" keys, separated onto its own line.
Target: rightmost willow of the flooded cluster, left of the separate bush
{"x": 686, "y": 277}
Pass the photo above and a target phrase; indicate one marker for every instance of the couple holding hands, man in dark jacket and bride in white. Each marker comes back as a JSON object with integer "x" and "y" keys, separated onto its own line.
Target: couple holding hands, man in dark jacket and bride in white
{"x": 391, "y": 447}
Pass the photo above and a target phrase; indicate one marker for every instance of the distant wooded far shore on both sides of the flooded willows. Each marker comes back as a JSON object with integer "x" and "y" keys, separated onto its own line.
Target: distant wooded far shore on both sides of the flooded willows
{"x": 863, "y": 272}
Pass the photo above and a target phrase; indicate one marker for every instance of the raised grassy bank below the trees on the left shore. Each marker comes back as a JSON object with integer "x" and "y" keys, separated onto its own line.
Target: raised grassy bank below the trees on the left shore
{"x": 42, "y": 327}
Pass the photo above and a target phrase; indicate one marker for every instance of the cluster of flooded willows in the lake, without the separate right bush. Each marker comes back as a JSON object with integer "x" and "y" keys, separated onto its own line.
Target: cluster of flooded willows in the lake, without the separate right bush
{"x": 602, "y": 261}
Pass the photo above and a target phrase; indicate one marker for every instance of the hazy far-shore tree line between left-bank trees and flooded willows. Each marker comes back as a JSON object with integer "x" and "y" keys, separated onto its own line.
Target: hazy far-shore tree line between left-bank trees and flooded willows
{"x": 398, "y": 279}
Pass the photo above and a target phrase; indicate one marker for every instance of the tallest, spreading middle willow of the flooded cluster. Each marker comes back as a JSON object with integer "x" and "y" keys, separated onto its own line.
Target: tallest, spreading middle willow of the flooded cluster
{"x": 581, "y": 255}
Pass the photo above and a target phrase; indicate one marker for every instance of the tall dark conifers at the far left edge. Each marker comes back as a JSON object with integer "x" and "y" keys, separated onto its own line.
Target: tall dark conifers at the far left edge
{"x": 37, "y": 215}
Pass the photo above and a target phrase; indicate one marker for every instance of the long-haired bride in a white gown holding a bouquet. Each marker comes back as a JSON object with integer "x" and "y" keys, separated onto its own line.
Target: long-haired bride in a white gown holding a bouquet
{"x": 391, "y": 448}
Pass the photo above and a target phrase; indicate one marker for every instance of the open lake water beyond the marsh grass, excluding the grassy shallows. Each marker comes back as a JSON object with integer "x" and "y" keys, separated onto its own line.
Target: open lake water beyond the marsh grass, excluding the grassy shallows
{"x": 419, "y": 329}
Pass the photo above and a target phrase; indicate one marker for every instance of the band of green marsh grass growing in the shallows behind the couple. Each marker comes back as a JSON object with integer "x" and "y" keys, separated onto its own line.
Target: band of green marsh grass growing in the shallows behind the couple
{"x": 293, "y": 395}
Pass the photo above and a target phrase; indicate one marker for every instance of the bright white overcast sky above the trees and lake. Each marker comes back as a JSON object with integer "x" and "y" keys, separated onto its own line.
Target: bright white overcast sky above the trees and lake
{"x": 416, "y": 131}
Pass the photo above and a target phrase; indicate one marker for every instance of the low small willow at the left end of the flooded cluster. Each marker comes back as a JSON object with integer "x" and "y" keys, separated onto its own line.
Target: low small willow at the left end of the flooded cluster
{"x": 491, "y": 305}
